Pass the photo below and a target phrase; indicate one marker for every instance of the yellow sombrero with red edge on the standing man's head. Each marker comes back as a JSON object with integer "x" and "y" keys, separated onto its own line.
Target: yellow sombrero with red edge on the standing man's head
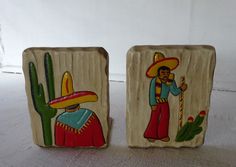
{"x": 159, "y": 60}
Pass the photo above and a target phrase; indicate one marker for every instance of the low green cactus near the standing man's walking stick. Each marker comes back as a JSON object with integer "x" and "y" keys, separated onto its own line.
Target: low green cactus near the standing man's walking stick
{"x": 190, "y": 129}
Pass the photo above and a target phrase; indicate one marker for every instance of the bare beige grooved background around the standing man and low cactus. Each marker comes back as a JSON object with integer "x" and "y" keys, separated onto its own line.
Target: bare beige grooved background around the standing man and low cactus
{"x": 196, "y": 64}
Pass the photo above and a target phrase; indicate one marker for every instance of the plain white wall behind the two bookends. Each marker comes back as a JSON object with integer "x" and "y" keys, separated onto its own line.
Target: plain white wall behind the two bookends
{"x": 117, "y": 25}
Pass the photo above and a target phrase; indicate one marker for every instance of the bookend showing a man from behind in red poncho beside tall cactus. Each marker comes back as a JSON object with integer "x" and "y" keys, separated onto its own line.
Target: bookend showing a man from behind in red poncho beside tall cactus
{"x": 68, "y": 96}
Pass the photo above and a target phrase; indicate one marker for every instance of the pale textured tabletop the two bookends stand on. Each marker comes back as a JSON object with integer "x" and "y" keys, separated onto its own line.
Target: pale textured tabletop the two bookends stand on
{"x": 18, "y": 150}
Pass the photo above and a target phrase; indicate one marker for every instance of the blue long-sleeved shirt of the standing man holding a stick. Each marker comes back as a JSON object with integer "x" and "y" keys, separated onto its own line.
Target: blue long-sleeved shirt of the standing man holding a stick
{"x": 165, "y": 89}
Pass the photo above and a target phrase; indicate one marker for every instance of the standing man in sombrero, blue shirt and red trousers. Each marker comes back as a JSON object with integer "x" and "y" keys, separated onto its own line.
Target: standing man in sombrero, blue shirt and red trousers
{"x": 161, "y": 84}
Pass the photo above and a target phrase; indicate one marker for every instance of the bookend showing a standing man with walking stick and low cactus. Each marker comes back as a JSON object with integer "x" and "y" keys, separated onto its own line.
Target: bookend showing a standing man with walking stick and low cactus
{"x": 168, "y": 95}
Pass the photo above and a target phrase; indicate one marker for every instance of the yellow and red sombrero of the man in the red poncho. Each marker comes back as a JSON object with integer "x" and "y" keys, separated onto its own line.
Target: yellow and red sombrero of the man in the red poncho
{"x": 69, "y": 97}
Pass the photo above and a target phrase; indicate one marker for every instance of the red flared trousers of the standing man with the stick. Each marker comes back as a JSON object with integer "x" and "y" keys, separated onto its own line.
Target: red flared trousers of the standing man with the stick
{"x": 158, "y": 126}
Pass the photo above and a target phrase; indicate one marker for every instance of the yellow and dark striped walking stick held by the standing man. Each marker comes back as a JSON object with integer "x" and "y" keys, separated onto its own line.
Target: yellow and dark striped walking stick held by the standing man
{"x": 181, "y": 105}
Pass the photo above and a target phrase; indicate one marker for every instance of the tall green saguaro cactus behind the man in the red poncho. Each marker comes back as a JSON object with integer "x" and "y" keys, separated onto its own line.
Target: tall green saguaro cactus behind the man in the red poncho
{"x": 41, "y": 106}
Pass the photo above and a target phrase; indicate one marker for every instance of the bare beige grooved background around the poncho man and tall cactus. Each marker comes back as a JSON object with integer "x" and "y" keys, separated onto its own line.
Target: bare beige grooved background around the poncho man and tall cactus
{"x": 89, "y": 70}
